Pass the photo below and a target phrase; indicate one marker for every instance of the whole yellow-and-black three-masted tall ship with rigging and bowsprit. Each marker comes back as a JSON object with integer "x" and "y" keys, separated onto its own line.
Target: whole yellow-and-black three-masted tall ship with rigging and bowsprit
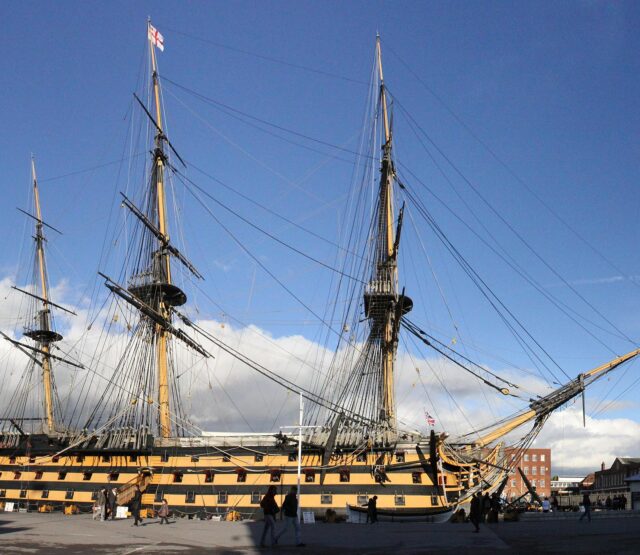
{"x": 124, "y": 424}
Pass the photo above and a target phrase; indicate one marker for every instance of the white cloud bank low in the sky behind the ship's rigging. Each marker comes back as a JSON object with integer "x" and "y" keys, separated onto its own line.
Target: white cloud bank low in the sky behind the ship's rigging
{"x": 225, "y": 395}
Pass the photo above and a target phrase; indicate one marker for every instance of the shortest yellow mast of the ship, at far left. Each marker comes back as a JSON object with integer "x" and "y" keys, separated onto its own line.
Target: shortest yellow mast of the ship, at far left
{"x": 43, "y": 335}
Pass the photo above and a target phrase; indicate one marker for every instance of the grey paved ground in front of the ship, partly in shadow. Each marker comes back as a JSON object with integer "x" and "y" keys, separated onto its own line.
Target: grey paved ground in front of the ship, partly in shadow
{"x": 70, "y": 535}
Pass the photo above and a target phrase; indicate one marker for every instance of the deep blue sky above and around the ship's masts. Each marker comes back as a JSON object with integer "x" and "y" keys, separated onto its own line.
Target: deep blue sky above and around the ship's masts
{"x": 531, "y": 108}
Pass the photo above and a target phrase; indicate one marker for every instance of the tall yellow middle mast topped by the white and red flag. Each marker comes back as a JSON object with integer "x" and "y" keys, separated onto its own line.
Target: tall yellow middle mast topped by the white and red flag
{"x": 163, "y": 266}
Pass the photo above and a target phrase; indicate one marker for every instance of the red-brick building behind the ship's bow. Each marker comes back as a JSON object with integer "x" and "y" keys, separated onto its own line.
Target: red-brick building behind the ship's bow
{"x": 536, "y": 466}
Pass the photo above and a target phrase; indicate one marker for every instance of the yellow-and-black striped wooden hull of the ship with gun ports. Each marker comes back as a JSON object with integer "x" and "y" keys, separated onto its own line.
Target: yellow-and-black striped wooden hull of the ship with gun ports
{"x": 228, "y": 474}
